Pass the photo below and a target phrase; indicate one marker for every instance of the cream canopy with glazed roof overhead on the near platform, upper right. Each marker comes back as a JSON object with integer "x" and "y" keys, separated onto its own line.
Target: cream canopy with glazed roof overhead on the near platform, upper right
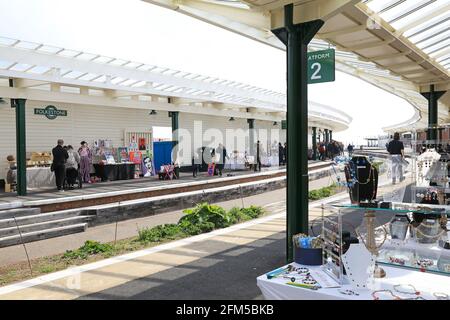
{"x": 401, "y": 46}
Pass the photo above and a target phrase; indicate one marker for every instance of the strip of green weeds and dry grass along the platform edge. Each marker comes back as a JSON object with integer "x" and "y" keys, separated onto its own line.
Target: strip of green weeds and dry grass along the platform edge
{"x": 202, "y": 218}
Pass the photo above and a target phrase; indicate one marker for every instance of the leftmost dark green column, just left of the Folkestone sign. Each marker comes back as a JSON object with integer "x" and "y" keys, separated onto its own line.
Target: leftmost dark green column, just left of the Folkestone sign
{"x": 21, "y": 147}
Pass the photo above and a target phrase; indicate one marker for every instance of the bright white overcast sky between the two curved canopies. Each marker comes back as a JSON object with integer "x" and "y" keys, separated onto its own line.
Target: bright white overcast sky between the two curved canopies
{"x": 136, "y": 30}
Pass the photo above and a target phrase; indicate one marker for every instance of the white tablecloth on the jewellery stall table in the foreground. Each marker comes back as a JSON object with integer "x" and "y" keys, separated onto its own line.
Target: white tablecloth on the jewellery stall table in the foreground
{"x": 426, "y": 283}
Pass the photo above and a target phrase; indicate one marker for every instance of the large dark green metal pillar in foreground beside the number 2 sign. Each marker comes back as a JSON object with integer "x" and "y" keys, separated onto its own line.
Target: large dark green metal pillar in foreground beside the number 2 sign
{"x": 296, "y": 38}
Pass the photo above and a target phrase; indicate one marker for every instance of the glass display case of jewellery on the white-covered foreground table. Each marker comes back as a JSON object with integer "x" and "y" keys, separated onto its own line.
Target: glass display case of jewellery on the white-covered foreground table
{"x": 405, "y": 235}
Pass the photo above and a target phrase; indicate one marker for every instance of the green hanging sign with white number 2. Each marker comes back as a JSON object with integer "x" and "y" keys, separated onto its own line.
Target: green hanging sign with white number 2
{"x": 321, "y": 66}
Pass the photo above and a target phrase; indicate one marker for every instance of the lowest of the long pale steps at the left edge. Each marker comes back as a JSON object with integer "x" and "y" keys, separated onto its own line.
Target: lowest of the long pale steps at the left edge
{"x": 42, "y": 234}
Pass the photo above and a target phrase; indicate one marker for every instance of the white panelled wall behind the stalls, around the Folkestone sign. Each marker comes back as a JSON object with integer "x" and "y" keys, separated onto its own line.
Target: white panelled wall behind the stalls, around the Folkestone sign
{"x": 87, "y": 123}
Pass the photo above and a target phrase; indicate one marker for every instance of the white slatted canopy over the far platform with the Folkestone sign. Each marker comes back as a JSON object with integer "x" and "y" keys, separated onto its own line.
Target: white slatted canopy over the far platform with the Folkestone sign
{"x": 46, "y": 73}
